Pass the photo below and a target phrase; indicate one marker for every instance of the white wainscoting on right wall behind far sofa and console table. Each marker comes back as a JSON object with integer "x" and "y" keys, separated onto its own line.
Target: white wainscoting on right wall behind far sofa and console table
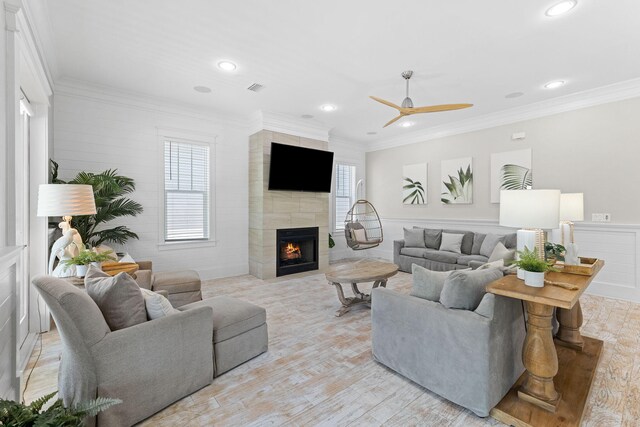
{"x": 617, "y": 244}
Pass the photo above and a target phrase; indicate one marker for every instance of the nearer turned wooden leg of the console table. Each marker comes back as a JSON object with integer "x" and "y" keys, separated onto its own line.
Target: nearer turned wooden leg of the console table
{"x": 540, "y": 359}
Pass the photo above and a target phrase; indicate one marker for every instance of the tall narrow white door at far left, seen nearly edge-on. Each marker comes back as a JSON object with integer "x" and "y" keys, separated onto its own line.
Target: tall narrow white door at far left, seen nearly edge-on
{"x": 22, "y": 219}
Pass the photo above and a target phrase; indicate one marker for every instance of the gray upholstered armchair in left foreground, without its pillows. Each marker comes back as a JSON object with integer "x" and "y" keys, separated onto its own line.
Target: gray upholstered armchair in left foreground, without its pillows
{"x": 148, "y": 366}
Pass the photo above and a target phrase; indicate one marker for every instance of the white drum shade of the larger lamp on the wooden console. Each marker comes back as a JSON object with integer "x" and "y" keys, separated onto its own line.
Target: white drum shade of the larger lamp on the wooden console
{"x": 530, "y": 208}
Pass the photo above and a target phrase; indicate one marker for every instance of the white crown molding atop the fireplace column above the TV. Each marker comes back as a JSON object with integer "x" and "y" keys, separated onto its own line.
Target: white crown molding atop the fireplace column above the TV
{"x": 289, "y": 124}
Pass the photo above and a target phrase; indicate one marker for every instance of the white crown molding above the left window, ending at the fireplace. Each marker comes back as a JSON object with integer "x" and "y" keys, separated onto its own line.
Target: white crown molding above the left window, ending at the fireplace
{"x": 110, "y": 95}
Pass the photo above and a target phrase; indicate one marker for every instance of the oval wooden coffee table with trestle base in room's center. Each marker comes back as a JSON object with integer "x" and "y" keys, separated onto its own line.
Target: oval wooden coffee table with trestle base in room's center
{"x": 359, "y": 271}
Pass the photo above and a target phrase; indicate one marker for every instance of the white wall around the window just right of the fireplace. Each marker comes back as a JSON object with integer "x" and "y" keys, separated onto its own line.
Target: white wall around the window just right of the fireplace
{"x": 350, "y": 153}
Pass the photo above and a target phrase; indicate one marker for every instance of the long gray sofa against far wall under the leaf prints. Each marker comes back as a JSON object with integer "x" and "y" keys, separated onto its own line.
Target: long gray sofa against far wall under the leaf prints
{"x": 428, "y": 254}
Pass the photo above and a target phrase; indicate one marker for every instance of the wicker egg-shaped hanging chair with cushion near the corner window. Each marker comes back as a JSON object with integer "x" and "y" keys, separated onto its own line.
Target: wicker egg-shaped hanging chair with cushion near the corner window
{"x": 362, "y": 226}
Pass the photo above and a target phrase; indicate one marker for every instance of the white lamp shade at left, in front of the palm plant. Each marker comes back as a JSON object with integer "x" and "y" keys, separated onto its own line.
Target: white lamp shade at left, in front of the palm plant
{"x": 65, "y": 200}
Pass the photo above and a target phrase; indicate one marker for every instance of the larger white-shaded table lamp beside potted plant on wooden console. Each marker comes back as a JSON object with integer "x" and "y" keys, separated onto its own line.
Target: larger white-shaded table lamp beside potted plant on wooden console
{"x": 532, "y": 211}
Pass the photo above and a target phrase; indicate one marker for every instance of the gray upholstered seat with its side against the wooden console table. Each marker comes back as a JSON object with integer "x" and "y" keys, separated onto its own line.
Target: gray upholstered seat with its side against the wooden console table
{"x": 470, "y": 357}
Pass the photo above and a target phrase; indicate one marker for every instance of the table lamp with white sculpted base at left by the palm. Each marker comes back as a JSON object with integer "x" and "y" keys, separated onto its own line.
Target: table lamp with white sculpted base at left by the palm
{"x": 65, "y": 200}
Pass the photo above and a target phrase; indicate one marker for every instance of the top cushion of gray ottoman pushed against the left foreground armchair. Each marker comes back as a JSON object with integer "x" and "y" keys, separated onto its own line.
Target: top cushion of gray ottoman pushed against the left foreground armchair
{"x": 231, "y": 316}
